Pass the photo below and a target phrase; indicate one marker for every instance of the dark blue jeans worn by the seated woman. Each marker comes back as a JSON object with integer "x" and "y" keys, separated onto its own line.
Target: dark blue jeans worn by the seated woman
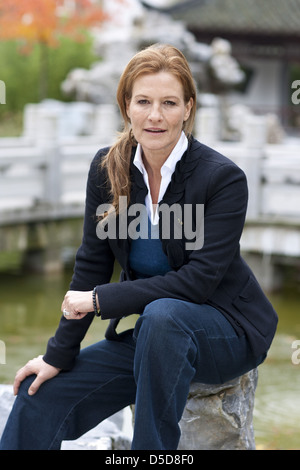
{"x": 172, "y": 344}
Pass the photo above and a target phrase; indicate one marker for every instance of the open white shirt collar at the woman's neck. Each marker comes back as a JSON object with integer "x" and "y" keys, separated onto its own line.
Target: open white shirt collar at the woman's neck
{"x": 166, "y": 173}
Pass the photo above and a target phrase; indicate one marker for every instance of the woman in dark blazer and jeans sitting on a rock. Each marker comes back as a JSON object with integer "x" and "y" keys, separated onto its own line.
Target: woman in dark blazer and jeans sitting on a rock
{"x": 203, "y": 316}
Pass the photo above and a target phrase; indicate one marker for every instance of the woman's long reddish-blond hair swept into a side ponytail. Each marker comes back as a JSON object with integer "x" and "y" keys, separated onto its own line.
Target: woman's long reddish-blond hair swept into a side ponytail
{"x": 154, "y": 59}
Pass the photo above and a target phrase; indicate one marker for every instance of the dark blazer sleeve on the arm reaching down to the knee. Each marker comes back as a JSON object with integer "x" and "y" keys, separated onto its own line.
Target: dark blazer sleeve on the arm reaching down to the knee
{"x": 93, "y": 266}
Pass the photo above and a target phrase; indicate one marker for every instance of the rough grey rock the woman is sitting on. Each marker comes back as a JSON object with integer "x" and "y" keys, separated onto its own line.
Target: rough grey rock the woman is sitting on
{"x": 219, "y": 417}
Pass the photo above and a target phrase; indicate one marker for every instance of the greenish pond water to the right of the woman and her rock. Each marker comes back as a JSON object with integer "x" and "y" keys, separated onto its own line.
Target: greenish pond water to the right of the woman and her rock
{"x": 277, "y": 409}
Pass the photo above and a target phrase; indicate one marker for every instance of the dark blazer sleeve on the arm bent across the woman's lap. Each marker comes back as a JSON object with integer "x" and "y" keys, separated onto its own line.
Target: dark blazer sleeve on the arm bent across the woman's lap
{"x": 225, "y": 210}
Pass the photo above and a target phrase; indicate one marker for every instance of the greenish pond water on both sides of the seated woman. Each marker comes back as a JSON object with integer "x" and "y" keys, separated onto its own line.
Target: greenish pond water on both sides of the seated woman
{"x": 30, "y": 311}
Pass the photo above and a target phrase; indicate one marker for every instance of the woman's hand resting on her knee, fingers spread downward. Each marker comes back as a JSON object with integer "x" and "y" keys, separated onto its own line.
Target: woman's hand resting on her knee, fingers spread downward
{"x": 36, "y": 366}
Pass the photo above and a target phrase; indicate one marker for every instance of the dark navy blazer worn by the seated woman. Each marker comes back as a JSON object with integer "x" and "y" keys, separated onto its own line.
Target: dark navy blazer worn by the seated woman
{"x": 215, "y": 274}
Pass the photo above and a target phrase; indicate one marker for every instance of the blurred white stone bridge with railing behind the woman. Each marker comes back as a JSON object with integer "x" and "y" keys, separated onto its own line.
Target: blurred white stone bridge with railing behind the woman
{"x": 42, "y": 193}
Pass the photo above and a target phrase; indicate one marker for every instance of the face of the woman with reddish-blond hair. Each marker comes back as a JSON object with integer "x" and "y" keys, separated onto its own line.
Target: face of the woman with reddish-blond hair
{"x": 157, "y": 111}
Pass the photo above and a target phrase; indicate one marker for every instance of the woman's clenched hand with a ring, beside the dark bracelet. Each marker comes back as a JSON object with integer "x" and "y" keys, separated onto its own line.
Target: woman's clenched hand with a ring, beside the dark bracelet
{"x": 77, "y": 304}
